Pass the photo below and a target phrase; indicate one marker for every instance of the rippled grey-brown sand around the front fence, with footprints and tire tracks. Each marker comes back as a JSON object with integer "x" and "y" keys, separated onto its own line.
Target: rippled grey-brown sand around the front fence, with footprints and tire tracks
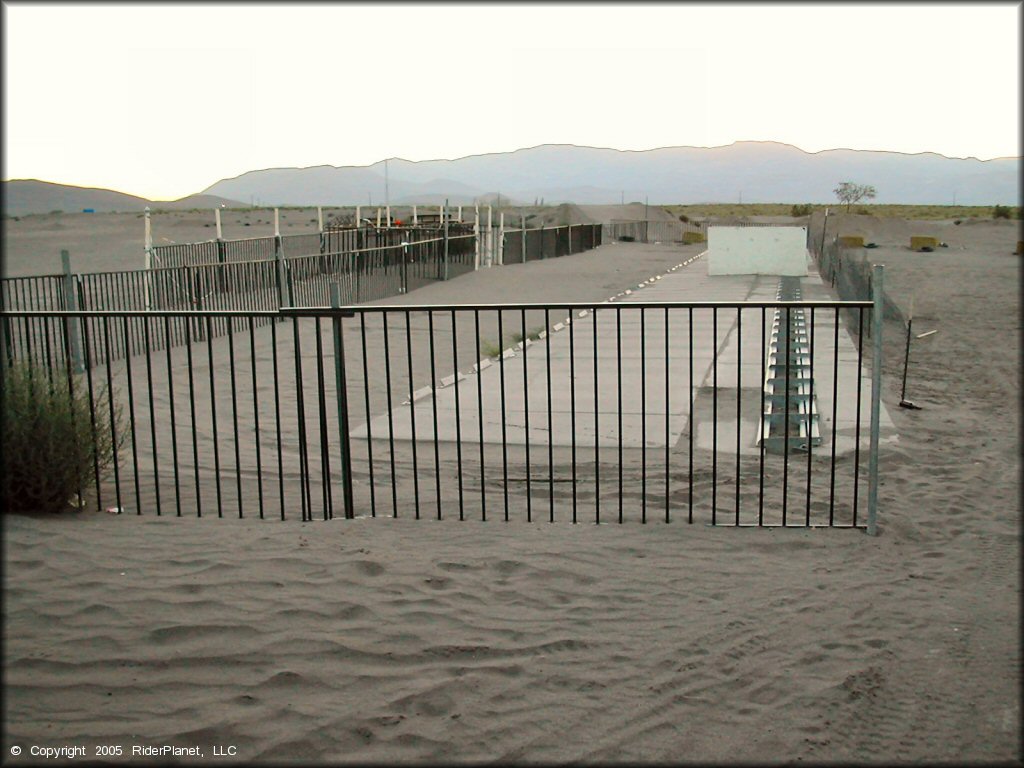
{"x": 391, "y": 641}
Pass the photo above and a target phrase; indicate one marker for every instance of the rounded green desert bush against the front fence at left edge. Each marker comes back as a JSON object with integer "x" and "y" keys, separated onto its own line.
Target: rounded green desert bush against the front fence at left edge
{"x": 54, "y": 439}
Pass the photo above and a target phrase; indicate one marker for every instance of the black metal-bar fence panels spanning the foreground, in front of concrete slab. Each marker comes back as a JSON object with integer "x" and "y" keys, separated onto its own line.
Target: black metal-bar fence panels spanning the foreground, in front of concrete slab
{"x": 629, "y": 413}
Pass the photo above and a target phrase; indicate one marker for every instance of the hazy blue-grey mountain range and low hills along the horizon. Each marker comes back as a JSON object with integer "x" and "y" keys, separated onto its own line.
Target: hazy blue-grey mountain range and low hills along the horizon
{"x": 745, "y": 172}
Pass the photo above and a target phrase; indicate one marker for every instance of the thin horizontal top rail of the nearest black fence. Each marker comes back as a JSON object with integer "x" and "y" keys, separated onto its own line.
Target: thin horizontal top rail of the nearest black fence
{"x": 352, "y": 310}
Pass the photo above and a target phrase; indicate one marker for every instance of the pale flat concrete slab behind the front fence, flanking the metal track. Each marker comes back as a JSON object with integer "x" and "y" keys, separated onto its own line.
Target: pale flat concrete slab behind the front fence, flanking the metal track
{"x": 650, "y": 381}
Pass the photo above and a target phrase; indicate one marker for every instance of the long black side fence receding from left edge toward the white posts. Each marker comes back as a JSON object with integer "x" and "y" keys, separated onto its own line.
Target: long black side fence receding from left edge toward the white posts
{"x": 372, "y": 274}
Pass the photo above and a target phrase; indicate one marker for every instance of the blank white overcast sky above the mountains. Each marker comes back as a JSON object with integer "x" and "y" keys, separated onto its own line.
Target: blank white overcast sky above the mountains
{"x": 162, "y": 101}
